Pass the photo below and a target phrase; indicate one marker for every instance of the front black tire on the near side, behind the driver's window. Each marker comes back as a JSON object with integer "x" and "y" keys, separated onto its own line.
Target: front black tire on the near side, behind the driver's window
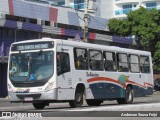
{"x": 78, "y": 101}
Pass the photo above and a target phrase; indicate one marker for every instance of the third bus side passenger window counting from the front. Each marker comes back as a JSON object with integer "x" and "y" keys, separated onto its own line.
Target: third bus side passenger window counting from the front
{"x": 109, "y": 61}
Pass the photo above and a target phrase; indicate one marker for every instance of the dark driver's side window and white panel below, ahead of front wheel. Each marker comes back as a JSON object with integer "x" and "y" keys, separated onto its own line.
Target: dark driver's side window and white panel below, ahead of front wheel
{"x": 64, "y": 79}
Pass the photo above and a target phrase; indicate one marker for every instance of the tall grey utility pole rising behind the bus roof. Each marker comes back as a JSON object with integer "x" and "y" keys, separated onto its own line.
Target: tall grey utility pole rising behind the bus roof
{"x": 85, "y": 21}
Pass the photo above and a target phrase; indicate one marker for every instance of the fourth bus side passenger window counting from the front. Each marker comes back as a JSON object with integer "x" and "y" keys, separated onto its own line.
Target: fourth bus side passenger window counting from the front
{"x": 122, "y": 62}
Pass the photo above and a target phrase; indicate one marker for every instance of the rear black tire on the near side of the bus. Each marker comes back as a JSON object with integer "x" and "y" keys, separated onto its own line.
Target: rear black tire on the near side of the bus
{"x": 128, "y": 97}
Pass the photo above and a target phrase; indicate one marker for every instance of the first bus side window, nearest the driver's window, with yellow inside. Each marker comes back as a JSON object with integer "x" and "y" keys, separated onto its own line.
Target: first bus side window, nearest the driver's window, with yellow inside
{"x": 80, "y": 59}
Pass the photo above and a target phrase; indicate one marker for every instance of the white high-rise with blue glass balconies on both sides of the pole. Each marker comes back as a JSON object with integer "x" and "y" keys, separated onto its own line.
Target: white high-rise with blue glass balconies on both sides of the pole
{"x": 106, "y": 8}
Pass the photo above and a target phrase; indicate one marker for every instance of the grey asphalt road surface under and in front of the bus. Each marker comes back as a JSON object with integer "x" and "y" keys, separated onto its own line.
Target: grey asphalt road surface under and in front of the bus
{"x": 109, "y": 109}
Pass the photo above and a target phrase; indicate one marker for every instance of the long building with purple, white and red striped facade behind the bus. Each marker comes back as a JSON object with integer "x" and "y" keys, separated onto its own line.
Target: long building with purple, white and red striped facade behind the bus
{"x": 23, "y": 19}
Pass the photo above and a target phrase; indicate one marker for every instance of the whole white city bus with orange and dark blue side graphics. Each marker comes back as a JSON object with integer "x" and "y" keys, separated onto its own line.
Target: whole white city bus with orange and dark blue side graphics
{"x": 49, "y": 70}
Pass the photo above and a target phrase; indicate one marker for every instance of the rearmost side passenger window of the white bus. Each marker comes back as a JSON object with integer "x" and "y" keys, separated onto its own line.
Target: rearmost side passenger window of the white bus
{"x": 144, "y": 64}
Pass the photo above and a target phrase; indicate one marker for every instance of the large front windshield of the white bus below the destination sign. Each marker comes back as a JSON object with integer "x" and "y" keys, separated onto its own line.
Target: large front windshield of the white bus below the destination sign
{"x": 31, "y": 66}
